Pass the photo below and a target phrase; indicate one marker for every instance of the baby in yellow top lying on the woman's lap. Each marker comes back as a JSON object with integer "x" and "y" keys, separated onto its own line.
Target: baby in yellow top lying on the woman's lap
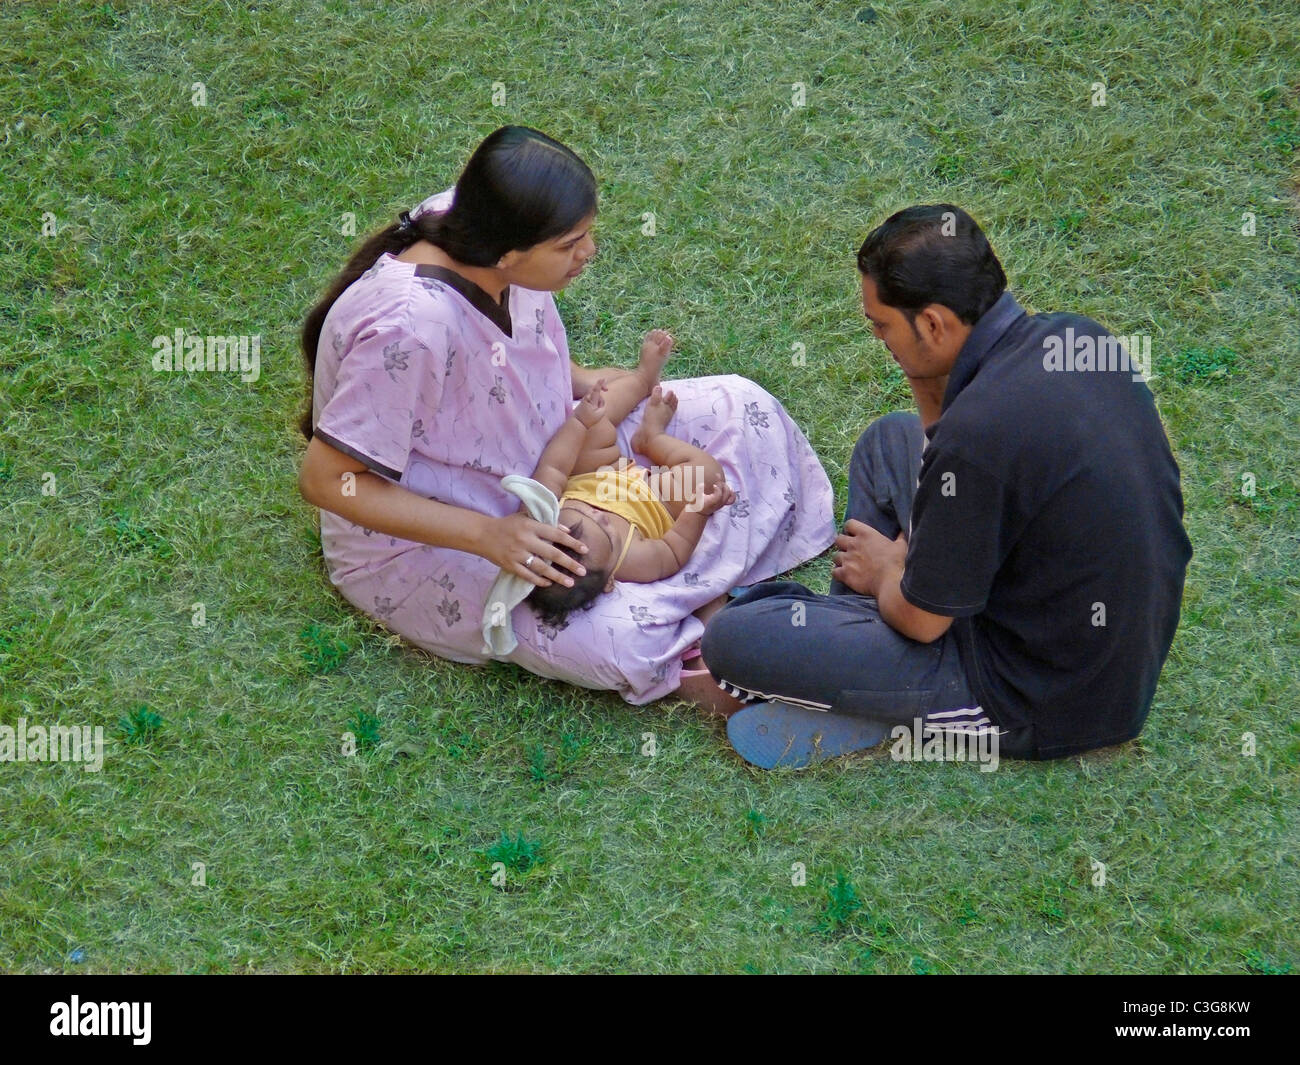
{"x": 639, "y": 525}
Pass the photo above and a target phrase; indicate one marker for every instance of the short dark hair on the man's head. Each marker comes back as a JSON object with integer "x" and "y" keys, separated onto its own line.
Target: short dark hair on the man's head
{"x": 933, "y": 254}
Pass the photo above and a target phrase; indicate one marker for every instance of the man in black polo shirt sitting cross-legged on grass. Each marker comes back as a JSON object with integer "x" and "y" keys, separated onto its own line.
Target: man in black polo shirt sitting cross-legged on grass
{"x": 1012, "y": 561}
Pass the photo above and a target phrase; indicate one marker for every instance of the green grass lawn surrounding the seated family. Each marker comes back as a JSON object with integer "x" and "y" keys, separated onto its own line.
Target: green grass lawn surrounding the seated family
{"x": 175, "y": 491}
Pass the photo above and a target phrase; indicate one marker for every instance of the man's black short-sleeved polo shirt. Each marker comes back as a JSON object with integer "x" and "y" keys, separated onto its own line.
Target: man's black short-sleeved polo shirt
{"x": 1048, "y": 523}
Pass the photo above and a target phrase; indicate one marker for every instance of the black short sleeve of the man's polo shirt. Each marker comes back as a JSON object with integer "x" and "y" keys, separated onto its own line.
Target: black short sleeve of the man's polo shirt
{"x": 960, "y": 522}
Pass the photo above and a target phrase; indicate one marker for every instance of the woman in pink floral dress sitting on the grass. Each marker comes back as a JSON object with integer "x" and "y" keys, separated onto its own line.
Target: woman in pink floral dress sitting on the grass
{"x": 440, "y": 365}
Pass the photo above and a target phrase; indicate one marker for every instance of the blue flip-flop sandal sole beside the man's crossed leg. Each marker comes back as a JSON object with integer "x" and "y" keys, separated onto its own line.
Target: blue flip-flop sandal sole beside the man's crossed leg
{"x": 773, "y": 735}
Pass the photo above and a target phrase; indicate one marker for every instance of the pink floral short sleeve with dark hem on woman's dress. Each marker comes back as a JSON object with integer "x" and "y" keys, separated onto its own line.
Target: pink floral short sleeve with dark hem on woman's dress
{"x": 384, "y": 380}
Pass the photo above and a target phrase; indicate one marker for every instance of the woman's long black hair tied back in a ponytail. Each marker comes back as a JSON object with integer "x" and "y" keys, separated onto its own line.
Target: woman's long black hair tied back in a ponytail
{"x": 521, "y": 188}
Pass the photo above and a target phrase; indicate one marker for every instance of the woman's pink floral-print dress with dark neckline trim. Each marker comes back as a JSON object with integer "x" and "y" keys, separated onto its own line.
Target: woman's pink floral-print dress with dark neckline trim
{"x": 439, "y": 425}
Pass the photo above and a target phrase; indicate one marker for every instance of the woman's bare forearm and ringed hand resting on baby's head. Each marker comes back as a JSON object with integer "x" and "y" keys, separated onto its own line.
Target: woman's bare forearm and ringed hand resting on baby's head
{"x": 378, "y": 504}
